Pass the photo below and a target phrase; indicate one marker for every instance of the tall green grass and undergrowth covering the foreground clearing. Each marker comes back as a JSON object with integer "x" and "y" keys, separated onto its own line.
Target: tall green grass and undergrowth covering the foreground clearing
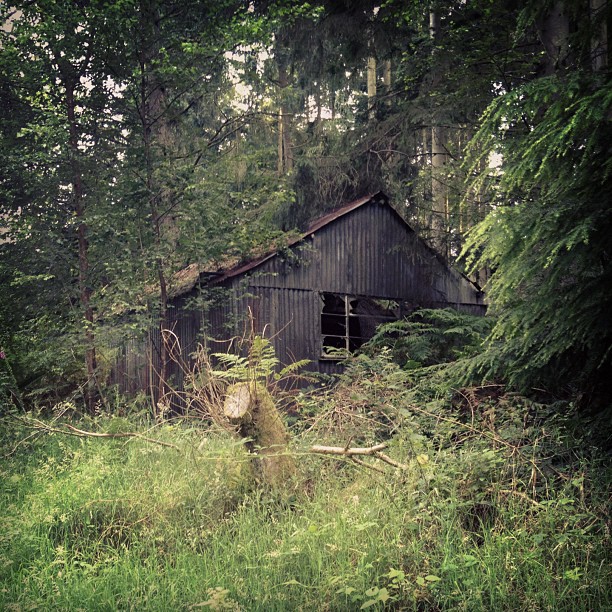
{"x": 88, "y": 524}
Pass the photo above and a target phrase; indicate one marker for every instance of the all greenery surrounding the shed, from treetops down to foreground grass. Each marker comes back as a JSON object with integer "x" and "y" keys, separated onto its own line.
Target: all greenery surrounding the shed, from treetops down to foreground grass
{"x": 139, "y": 139}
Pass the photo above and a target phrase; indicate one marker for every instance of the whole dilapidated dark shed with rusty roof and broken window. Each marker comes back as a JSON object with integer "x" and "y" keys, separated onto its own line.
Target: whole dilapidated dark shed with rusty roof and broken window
{"x": 350, "y": 271}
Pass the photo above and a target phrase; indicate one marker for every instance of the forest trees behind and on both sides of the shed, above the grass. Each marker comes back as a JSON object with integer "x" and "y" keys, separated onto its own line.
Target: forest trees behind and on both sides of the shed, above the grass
{"x": 141, "y": 136}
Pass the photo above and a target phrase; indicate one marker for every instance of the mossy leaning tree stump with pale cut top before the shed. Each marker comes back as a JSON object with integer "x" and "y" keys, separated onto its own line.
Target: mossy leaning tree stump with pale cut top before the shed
{"x": 250, "y": 407}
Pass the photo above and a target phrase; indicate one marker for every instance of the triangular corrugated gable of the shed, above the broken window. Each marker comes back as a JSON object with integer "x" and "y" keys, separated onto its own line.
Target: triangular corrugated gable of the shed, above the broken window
{"x": 369, "y": 251}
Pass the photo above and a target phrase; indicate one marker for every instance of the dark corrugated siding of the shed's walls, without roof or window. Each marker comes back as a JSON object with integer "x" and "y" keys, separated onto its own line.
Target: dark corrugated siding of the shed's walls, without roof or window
{"x": 369, "y": 251}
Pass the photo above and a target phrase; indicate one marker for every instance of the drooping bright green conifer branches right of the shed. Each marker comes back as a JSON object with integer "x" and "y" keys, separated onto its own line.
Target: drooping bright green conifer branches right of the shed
{"x": 548, "y": 238}
